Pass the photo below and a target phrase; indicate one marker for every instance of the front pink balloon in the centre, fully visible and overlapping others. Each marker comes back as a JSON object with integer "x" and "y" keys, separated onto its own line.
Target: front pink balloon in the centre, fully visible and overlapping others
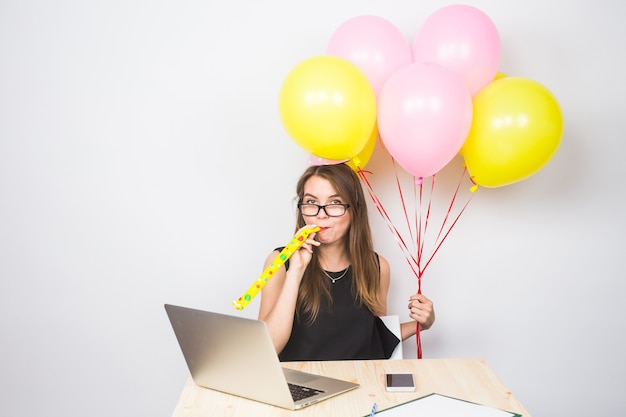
{"x": 424, "y": 116}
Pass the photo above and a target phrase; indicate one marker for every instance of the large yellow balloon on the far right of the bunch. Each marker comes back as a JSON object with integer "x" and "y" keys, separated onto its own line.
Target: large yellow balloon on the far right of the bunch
{"x": 517, "y": 128}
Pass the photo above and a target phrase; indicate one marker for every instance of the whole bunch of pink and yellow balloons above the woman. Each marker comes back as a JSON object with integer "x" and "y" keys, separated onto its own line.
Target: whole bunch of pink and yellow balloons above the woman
{"x": 427, "y": 101}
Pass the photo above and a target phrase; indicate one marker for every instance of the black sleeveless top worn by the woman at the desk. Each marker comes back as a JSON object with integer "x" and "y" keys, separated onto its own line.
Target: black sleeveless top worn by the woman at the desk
{"x": 343, "y": 330}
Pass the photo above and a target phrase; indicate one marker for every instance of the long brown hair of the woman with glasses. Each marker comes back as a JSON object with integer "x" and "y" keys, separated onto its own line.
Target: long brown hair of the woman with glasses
{"x": 314, "y": 288}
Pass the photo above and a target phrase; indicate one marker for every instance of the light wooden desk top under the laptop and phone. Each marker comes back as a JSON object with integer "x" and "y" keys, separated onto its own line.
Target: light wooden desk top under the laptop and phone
{"x": 468, "y": 379}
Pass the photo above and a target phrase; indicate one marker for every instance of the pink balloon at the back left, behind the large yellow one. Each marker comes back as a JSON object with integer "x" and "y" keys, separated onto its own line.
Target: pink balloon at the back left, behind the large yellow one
{"x": 374, "y": 45}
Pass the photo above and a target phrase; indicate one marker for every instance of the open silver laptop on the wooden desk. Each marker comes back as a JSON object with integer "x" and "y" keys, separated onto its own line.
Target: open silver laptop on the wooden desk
{"x": 236, "y": 355}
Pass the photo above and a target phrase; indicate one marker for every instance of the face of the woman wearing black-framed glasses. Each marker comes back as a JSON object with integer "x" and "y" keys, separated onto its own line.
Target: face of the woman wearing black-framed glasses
{"x": 318, "y": 190}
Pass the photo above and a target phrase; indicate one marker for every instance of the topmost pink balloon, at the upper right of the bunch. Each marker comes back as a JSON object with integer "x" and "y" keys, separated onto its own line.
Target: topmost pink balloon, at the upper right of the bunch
{"x": 463, "y": 39}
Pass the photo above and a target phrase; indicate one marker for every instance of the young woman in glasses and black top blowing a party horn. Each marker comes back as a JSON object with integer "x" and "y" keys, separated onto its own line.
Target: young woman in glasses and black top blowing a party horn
{"x": 325, "y": 303}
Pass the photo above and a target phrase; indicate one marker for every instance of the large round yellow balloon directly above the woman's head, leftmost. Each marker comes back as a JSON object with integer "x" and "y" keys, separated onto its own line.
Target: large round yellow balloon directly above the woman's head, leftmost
{"x": 328, "y": 107}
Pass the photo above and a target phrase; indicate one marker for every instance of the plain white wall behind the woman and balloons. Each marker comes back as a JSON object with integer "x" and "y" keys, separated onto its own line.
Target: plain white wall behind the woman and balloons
{"x": 142, "y": 161}
